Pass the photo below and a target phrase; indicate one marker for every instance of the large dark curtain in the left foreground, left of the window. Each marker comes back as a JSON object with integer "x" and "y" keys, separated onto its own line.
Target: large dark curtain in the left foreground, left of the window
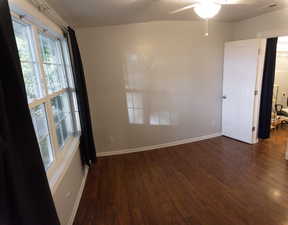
{"x": 25, "y": 197}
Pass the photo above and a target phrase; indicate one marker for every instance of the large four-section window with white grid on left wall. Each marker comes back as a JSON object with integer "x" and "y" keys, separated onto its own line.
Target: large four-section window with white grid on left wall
{"x": 50, "y": 90}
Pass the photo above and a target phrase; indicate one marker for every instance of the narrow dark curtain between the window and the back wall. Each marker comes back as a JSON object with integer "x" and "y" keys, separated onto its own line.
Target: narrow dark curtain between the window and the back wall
{"x": 87, "y": 146}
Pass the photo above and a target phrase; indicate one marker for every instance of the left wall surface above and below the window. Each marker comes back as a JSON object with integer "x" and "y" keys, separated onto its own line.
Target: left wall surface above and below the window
{"x": 66, "y": 194}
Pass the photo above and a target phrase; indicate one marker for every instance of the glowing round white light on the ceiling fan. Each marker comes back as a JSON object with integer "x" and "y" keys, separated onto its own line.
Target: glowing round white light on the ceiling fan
{"x": 207, "y": 9}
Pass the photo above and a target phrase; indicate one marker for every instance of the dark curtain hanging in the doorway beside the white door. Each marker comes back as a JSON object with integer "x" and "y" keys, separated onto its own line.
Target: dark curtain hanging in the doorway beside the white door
{"x": 267, "y": 88}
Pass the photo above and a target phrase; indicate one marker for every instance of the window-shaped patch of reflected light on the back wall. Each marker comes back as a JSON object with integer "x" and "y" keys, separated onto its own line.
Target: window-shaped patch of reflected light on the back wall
{"x": 145, "y": 100}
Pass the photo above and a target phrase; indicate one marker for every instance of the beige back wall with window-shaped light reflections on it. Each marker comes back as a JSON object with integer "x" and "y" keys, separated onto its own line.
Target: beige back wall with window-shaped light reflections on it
{"x": 173, "y": 72}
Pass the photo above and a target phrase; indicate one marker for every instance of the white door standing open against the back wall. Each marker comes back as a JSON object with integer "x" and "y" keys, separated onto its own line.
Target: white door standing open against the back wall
{"x": 242, "y": 78}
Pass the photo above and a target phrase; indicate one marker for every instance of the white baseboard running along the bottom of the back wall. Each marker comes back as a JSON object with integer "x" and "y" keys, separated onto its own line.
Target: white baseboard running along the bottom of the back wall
{"x": 152, "y": 147}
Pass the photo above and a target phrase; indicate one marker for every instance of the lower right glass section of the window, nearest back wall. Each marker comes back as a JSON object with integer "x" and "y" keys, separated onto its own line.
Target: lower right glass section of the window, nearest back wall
{"x": 62, "y": 117}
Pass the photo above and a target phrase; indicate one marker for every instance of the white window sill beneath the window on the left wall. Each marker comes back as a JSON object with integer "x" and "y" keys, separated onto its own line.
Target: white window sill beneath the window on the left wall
{"x": 60, "y": 172}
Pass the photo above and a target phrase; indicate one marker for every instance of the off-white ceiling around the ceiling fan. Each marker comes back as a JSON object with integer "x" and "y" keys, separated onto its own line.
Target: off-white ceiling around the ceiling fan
{"x": 87, "y": 13}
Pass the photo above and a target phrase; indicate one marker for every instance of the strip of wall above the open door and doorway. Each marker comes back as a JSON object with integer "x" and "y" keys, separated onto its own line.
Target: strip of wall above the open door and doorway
{"x": 266, "y": 25}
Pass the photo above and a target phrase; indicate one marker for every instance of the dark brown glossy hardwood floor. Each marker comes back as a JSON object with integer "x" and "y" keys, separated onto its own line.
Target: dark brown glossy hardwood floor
{"x": 214, "y": 182}
